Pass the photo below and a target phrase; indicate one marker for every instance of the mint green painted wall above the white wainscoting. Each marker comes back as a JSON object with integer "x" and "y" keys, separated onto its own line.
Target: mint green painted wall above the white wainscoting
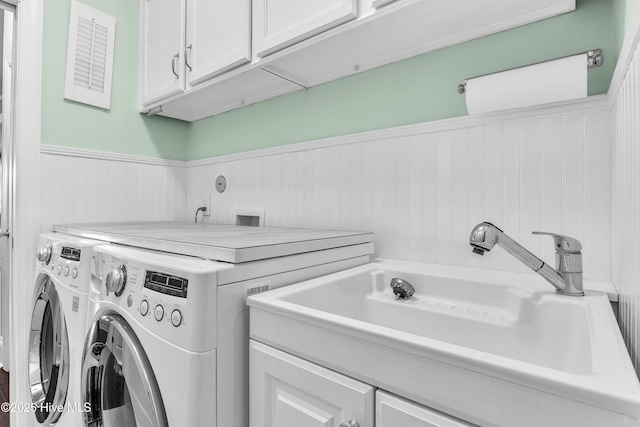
{"x": 416, "y": 90}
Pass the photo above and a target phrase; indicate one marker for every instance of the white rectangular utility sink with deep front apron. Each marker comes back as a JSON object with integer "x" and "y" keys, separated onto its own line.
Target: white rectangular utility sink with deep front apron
{"x": 492, "y": 348}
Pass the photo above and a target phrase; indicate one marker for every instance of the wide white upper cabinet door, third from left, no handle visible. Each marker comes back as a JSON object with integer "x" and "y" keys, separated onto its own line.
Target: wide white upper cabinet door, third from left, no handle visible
{"x": 280, "y": 23}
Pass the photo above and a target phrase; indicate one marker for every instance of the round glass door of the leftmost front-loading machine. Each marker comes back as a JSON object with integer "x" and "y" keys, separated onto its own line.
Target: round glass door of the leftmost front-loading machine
{"x": 48, "y": 353}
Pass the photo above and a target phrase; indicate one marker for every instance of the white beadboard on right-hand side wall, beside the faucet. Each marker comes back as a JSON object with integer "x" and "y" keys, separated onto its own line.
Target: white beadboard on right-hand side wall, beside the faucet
{"x": 626, "y": 204}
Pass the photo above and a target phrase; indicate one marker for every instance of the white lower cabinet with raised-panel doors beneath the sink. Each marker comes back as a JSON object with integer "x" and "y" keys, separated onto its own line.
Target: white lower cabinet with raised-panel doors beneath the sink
{"x": 287, "y": 391}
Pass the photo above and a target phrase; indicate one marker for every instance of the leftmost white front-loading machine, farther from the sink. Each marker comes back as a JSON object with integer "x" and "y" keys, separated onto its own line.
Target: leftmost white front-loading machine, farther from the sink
{"x": 58, "y": 328}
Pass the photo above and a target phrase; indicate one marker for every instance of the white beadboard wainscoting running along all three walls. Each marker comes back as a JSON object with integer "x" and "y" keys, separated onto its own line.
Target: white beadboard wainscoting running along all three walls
{"x": 419, "y": 188}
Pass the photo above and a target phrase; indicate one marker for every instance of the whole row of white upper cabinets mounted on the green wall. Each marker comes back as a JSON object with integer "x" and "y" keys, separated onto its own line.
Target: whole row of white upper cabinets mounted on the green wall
{"x": 204, "y": 57}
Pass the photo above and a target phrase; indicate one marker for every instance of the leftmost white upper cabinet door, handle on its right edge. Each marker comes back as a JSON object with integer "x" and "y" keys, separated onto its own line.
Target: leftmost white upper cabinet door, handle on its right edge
{"x": 161, "y": 49}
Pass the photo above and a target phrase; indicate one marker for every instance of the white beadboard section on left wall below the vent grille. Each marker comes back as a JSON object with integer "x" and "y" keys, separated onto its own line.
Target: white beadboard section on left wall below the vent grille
{"x": 86, "y": 186}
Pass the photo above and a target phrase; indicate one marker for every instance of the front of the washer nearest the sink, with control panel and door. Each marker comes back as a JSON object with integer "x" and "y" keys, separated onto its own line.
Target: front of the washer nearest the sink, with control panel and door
{"x": 150, "y": 352}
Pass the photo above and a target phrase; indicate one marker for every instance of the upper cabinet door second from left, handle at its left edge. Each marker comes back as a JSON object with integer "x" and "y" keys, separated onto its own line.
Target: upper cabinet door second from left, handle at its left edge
{"x": 218, "y": 37}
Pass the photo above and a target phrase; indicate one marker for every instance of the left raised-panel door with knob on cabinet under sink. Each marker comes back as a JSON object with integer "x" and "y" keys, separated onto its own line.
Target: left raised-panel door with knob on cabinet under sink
{"x": 286, "y": 391}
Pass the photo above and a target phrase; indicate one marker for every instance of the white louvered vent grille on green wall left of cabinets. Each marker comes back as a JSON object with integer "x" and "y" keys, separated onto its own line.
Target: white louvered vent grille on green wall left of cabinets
{"x": 90, "y": 56}
